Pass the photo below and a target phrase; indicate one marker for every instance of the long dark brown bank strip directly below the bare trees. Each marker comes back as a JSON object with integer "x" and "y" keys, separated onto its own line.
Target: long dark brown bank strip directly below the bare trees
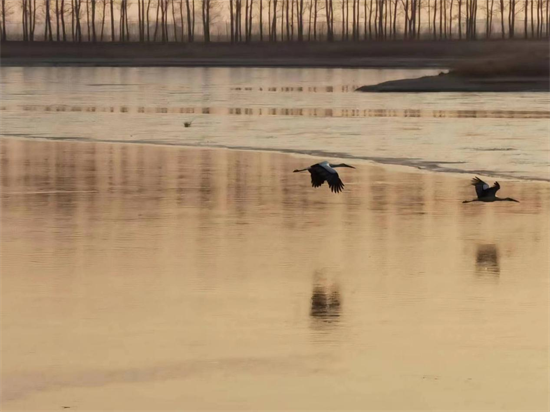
{"x": 352, "y": 55}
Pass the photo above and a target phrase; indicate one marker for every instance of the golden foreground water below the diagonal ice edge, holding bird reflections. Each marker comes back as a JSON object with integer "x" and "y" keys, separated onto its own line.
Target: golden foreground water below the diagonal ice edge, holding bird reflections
{"x": 150, "y": 277}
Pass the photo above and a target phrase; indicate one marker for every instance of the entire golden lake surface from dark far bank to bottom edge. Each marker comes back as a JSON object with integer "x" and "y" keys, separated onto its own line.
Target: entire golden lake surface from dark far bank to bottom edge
{"x": 141, "y": 277}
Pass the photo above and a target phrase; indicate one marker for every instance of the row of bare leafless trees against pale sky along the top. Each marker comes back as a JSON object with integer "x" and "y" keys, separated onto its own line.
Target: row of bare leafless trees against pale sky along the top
{"x": 271, "y": 20}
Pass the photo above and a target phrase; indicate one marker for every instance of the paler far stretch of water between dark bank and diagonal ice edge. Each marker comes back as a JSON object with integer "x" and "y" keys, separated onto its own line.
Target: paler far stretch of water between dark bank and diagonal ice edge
{"x": 313, "y": 111}
